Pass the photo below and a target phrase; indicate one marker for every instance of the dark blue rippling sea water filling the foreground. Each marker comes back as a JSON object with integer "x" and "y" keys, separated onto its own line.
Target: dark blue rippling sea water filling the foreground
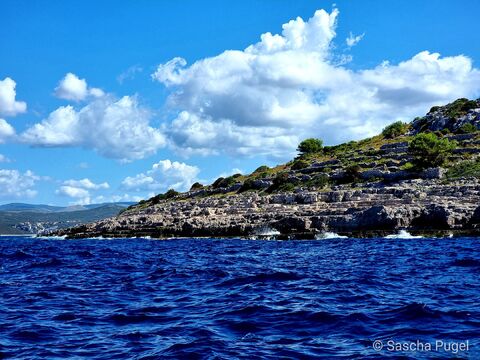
{"x": 229, "y": 299}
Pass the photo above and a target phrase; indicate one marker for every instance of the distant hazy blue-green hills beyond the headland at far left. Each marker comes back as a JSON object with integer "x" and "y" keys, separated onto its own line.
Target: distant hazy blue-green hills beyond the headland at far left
{"x": 18, "y": 218}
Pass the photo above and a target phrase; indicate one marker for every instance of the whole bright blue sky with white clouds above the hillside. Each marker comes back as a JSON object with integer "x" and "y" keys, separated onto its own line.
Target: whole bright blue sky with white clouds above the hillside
{"x": 119, "y": 100}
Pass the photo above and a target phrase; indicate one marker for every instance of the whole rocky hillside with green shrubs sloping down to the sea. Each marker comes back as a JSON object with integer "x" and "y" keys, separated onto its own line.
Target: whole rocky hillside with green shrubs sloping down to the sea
{"x": 421, "y": 176}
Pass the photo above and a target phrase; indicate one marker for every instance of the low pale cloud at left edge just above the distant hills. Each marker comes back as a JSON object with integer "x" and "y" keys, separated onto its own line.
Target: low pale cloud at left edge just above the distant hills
{"x": 15, "y": 185}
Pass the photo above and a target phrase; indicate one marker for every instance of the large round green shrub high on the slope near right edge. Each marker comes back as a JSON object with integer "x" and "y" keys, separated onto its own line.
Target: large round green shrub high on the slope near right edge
{"x": 429, "y": 151}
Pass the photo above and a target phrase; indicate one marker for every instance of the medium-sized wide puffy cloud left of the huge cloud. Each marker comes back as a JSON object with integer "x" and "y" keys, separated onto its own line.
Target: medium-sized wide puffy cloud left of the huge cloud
{"x": 114, "y": 128}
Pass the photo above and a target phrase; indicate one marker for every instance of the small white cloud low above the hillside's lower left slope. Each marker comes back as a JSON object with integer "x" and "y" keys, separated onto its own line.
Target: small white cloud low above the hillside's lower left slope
{"x": 164, "y": 175}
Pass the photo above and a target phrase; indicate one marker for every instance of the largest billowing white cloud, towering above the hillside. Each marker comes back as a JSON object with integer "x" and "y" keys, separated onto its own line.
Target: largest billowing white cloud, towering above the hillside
{"x": 265, "y": 99}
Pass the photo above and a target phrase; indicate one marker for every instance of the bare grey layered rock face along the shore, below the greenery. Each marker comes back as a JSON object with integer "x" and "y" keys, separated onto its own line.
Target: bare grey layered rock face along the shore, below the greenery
{"x": 410, "y": 204}
